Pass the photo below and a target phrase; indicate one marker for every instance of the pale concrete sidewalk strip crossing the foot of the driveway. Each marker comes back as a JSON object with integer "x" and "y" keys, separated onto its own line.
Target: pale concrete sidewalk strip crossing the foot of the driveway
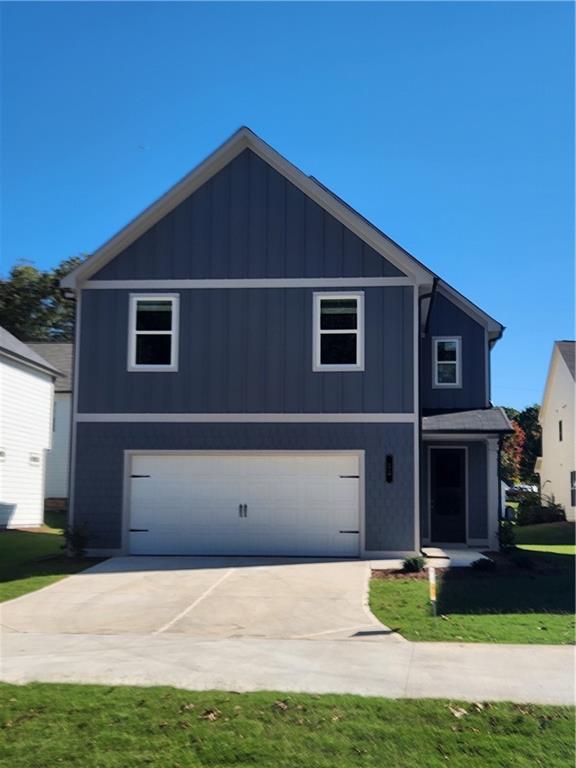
{"x": 471, "y": 672}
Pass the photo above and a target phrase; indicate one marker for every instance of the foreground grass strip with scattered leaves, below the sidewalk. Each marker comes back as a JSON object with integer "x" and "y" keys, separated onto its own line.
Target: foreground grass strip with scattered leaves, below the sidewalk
{"x": 42, "y": 726}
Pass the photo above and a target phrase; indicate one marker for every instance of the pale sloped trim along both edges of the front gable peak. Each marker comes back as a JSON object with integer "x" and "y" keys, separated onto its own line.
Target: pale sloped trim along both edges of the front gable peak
{"x": 241, "y": 140}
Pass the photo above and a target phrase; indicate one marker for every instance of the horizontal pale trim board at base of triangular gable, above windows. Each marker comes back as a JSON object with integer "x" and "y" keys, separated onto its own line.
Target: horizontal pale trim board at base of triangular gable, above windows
{"x": 256, "y": 282}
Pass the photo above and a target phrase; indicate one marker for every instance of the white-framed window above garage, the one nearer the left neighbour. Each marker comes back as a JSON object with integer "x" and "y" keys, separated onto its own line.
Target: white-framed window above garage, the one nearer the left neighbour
{"x": 153, "y": 332}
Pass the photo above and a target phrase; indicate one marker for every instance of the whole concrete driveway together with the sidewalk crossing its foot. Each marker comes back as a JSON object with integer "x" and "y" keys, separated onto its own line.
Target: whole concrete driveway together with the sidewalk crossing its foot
{"x": 257, "y": 624}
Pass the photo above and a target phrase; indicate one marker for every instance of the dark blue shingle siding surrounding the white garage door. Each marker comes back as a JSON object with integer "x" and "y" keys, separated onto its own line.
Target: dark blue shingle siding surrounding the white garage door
{"x": 388, "y": 507}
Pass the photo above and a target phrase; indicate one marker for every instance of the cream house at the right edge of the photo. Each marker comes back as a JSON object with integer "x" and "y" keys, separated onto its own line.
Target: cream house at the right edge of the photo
{"x": 557, "y": 465}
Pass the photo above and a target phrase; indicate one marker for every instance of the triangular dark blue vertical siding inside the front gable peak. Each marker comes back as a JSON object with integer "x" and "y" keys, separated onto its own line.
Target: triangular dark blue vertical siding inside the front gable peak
{"x": 247, "y": 221}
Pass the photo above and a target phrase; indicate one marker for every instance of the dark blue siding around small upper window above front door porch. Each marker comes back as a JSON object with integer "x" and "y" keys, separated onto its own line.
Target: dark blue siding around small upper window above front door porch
{"x": 446, "y": 319}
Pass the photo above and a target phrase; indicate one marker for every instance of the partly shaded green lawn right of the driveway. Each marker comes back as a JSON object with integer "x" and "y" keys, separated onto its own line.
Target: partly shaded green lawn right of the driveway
{"x": 514, "y": 605}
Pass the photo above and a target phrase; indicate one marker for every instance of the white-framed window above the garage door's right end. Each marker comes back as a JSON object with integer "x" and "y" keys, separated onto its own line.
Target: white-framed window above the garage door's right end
{"x": 338, "y": 343}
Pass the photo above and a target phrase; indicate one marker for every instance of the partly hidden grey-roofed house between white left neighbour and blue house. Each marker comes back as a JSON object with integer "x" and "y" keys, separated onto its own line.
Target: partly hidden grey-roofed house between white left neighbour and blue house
{"x": 59, "y": 355}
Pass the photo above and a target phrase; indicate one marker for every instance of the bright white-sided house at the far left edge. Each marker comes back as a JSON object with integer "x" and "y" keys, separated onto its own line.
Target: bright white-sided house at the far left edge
{"x": 26, "y": 397}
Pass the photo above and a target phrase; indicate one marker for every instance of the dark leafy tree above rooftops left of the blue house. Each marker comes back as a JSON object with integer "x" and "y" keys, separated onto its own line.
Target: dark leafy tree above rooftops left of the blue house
{"x": 32, "y": 306}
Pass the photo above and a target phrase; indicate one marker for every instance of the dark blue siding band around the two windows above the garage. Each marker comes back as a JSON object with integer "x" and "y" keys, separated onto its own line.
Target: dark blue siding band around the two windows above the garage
{"x": 247, "y": 350}
